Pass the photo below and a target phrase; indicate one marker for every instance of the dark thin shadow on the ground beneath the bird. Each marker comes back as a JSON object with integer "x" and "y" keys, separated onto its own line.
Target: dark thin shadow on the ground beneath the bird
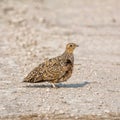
{"x": 77, "y": 85}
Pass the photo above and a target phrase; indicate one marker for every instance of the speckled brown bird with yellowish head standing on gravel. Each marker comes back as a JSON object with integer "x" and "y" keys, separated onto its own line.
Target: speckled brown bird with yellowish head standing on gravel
{"x": 54, "y": 70}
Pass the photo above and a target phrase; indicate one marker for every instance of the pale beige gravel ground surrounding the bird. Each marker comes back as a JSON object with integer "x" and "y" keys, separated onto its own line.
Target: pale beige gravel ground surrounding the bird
{"x": 32, "y": 30}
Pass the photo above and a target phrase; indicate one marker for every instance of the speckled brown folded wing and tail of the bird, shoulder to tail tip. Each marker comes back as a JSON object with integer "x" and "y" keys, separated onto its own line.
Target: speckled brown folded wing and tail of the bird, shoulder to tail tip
{"x": 52, "y": 69}
